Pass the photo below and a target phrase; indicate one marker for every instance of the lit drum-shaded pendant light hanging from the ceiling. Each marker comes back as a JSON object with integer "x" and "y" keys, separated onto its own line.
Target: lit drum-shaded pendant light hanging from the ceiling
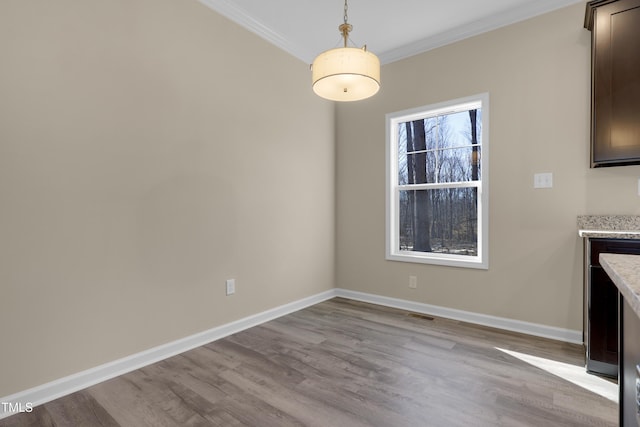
{"x": 346, "y": 73}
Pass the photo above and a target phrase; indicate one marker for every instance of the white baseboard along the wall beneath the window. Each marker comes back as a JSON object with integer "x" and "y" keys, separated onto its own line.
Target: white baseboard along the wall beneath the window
{"x": 560, "y": 334}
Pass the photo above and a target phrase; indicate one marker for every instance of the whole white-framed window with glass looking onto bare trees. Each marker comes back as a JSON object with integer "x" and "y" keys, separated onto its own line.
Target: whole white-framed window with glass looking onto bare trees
{"x": 437, "y": 186}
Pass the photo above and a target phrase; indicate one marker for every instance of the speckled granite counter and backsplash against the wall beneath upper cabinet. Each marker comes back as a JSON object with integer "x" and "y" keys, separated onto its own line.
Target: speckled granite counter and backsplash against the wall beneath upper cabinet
{"x": 609, "y": 226}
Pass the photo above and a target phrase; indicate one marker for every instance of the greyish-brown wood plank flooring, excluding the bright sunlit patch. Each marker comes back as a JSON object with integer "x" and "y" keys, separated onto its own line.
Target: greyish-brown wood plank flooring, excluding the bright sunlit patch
{"x": 343, "y": 363}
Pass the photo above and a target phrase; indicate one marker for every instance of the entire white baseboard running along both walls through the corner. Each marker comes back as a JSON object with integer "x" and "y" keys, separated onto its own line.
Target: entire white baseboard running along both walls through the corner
{"x": 72, "y": 383}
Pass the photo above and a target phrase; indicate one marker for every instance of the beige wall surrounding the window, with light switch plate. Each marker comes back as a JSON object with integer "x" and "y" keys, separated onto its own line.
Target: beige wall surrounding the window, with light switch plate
{"x": 537, "y": 74}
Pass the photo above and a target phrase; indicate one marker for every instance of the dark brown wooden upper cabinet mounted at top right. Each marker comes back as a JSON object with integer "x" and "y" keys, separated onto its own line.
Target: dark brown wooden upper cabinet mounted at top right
{"x": 615, "y": 81}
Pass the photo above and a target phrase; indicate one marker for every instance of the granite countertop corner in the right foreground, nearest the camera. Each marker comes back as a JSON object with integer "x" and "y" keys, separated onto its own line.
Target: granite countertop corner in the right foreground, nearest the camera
{"x": 624, "y": 271}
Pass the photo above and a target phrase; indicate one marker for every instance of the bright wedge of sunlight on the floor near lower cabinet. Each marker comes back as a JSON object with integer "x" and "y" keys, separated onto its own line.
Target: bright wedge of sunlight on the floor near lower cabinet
{"x": 574, "y": 374}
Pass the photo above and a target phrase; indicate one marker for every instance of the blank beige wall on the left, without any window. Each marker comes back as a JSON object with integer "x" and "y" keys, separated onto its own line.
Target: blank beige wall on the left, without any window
{"x": 149, "y": 150}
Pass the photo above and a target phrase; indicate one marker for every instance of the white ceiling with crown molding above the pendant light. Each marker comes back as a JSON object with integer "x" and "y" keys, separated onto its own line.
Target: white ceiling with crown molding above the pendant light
{"x": 392, "y": 29}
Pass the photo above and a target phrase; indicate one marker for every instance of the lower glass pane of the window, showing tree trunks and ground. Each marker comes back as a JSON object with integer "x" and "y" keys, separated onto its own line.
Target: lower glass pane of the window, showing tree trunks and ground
{"x": 439, "y": 221}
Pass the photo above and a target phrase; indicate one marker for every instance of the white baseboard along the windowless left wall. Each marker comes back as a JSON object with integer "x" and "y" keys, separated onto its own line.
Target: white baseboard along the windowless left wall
{"x": 72, "y": 383}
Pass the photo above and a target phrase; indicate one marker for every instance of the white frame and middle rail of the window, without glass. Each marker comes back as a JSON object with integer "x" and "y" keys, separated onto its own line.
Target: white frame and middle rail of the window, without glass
{"x": 393, "y": 120}
